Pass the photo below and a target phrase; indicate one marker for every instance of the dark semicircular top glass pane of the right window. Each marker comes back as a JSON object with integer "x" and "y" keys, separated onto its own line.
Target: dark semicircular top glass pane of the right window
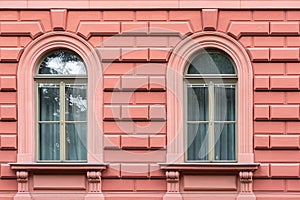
{"x": 211, "y": 61}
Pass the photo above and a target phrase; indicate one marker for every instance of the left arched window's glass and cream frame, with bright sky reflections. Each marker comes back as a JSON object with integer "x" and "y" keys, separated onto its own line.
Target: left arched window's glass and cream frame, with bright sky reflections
{"x": 61, "y": 107}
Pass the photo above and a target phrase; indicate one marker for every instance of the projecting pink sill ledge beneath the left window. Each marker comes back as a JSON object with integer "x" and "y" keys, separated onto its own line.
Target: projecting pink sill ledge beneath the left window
{"x": 59, "y": 166}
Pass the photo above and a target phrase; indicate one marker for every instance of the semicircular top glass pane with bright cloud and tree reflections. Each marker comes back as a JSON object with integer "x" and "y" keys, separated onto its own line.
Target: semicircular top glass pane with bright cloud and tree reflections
{"x": 62, "y": 62}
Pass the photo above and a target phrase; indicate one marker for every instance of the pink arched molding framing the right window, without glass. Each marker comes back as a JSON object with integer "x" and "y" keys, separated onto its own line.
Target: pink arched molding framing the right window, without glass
{"x": 175, "y": 104}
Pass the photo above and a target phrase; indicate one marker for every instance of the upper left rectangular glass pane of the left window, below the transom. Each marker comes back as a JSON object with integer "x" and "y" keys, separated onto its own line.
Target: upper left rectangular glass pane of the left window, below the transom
{"x": 48, "y": 102}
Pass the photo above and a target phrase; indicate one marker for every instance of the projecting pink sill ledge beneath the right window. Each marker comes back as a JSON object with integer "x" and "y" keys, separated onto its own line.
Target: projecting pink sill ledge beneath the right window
{"x": 230, "y": 168}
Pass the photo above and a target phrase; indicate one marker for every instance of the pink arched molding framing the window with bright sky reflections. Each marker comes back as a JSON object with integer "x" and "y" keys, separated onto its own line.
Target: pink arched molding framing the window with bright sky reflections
{"x": 27, "y": 67}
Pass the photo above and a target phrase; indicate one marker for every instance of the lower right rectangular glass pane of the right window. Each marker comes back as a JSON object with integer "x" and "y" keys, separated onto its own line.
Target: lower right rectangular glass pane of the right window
{"x": 225, "y": 141}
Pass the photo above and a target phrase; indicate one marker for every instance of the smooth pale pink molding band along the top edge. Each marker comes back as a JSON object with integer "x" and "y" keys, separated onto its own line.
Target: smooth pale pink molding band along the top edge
{"x": 155, "y": 4}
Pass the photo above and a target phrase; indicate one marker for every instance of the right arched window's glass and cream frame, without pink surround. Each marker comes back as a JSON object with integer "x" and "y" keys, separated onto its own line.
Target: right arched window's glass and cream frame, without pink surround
{"x": 210, "y": 114}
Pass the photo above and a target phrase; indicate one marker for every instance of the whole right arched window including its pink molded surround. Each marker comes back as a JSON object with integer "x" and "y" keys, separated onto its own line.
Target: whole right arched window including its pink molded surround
{"x": 216, "y": 69}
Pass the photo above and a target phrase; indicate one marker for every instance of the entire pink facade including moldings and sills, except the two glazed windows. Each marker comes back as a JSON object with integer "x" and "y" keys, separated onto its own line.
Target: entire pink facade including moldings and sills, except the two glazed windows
{"x": 136, "y": 53}
